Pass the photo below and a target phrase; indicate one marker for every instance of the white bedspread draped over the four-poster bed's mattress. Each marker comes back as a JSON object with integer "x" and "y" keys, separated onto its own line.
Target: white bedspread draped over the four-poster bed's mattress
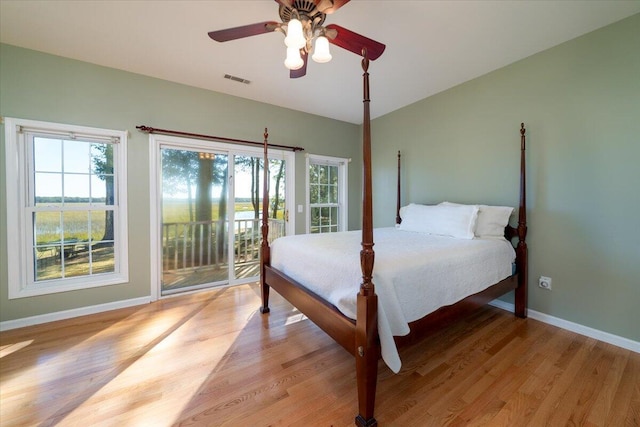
{"x": 414, "y": 273}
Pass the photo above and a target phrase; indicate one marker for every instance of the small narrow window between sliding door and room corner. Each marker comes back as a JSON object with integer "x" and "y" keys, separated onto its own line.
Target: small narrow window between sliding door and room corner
{"x": 326, "y": 194}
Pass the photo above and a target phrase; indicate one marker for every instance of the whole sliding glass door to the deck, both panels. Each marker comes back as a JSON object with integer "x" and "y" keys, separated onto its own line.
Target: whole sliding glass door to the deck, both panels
{"x": 210, "y": 204}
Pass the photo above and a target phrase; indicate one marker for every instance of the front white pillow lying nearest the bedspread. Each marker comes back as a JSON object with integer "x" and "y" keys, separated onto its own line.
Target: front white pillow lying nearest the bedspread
{"x": 454, "y": 221}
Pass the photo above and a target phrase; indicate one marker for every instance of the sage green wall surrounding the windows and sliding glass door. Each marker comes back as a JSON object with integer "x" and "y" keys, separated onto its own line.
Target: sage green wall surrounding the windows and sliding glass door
{"x": 43, "y": 87}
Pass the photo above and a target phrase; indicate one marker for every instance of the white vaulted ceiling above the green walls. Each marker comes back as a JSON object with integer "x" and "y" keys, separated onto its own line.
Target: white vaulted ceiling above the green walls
{"x": 431, "y": 45}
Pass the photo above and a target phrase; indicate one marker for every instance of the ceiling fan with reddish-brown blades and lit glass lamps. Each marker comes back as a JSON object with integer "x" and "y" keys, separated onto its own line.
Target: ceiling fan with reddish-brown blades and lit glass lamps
{"x": 302, "y": 24}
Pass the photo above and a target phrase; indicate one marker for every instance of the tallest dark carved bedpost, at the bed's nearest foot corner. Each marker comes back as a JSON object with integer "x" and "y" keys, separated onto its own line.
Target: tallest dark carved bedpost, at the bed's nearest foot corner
{"x": 367, "y": 348}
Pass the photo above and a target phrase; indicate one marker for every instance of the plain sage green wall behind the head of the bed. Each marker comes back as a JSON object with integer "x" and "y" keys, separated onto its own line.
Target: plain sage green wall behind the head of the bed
{"x": 580, "y": 102}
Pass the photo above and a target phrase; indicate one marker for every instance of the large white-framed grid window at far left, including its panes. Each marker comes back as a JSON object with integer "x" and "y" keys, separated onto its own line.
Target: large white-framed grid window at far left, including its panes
{"x": 66, "y": 215}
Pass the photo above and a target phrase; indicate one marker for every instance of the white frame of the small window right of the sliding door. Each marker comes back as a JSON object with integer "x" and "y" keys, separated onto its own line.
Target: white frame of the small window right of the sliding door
{"x": 343, "y": 187}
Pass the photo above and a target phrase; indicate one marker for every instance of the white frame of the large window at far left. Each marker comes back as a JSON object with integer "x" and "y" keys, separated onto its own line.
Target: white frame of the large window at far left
{"x": 20, "y": 256}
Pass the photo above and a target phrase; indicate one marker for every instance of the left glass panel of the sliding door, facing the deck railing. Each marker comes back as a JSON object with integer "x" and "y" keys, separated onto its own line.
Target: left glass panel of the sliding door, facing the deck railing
{"x": 195, "y": 228}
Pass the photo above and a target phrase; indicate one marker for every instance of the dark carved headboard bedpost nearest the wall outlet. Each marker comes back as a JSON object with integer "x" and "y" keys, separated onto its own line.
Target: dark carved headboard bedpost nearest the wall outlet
{"x": 521, "y": 248}
